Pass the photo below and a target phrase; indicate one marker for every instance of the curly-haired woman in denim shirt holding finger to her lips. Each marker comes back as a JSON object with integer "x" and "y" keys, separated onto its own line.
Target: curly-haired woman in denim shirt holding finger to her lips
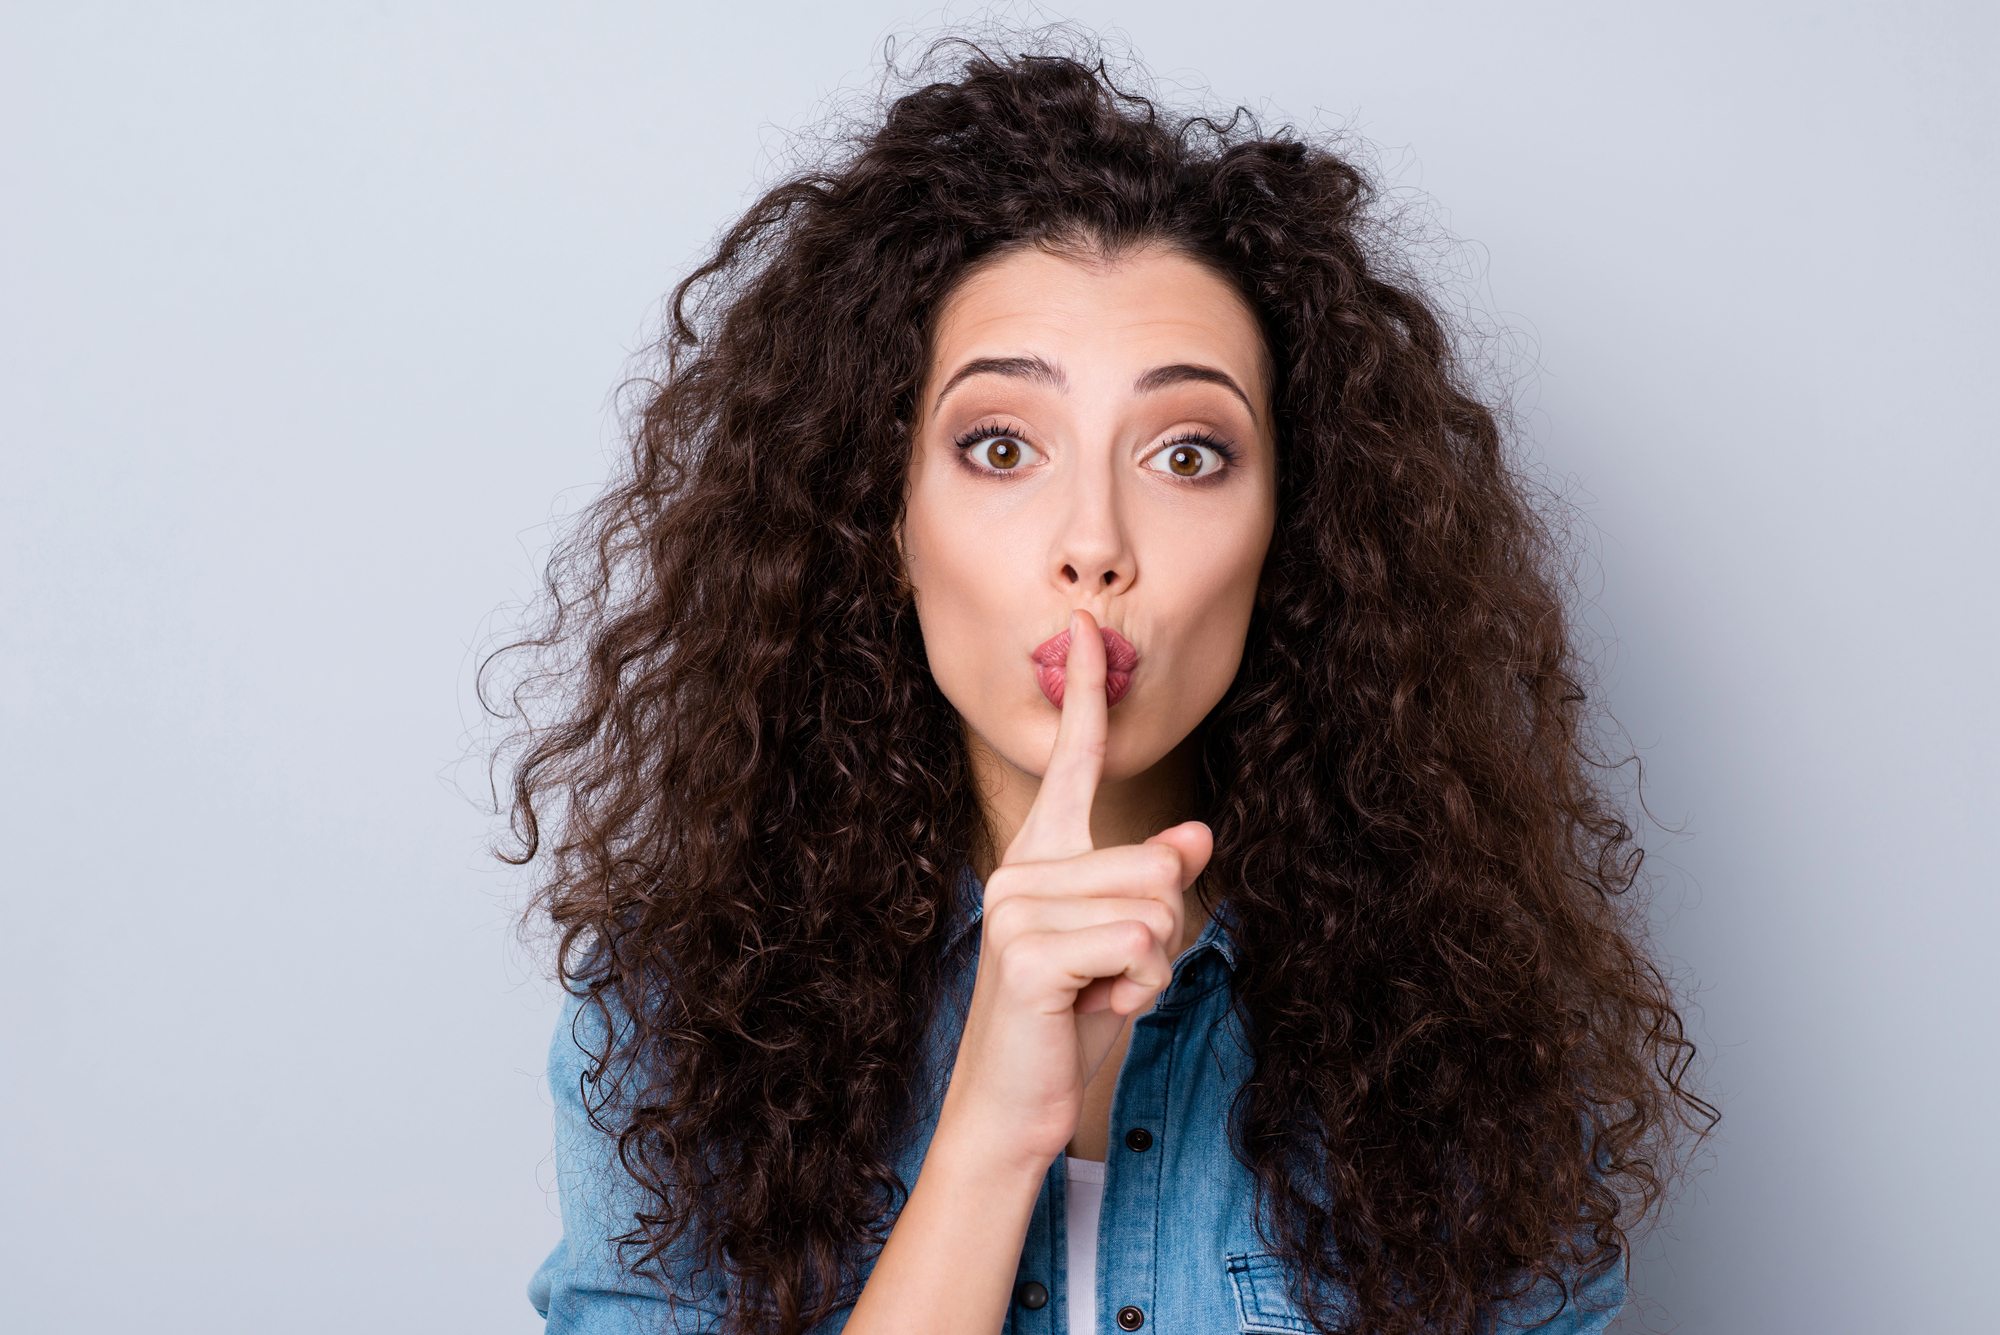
{"x": 1075, "y": 808}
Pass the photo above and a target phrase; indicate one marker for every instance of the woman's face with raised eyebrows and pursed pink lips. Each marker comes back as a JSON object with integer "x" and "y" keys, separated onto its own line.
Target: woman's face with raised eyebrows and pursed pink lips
{"x": 1093, "y": 435}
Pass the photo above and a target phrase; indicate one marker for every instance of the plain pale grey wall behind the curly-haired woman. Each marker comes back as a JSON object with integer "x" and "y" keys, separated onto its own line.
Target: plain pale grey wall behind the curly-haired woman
{"x": 313, "y": 315}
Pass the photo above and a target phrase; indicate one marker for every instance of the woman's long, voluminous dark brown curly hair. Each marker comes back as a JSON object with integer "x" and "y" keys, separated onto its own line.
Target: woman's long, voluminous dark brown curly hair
{"x": 753, "y": 806}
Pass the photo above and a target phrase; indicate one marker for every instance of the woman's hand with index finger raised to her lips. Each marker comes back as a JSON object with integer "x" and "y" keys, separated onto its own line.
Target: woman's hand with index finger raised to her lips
{"x": 1075, "y": 940}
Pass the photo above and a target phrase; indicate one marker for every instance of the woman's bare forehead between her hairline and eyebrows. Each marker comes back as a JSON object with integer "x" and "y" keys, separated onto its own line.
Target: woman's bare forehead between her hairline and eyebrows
{"x": 1091, "y": 315}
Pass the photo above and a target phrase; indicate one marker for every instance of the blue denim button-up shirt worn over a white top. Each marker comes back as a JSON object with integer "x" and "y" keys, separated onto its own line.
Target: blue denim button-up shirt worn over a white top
{"x": 1179, "y": 1250}
